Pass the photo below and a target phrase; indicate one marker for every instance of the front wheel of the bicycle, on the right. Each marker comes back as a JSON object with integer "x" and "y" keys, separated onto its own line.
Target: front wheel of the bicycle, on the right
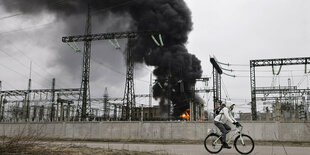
{"x": 244, "y": 144}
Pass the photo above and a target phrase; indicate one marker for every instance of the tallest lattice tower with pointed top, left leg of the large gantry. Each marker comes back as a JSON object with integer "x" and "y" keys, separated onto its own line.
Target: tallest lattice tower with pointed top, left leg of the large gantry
{"x": 85, "y": 90}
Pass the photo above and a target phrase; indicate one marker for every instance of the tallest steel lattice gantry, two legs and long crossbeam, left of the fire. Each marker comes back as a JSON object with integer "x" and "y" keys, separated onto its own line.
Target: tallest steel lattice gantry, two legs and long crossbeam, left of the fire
{"x": 86, "y": 60}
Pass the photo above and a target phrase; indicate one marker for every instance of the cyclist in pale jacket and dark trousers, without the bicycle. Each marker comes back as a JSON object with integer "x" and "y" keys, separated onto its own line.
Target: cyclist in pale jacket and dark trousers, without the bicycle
{"x": 221, "y": 119}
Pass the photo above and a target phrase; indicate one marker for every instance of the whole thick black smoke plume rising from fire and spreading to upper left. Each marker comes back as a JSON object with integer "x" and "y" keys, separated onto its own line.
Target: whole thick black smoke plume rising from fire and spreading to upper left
{"x": 175, "y": 68}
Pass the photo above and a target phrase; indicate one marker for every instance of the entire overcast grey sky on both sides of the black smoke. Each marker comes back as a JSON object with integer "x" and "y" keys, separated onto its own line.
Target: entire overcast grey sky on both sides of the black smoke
{"x": 234, "y": 31}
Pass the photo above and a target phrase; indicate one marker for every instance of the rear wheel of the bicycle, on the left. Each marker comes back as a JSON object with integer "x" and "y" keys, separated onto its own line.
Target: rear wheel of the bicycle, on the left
{"x": 213, "y": 144}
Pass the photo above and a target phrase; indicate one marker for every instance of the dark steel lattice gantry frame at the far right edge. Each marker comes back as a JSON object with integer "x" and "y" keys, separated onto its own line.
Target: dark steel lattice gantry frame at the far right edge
{"x": 272, "y": 62}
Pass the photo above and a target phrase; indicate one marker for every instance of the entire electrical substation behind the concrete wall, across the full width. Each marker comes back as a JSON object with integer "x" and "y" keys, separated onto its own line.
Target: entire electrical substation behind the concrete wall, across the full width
{"x": 75, "y": 104}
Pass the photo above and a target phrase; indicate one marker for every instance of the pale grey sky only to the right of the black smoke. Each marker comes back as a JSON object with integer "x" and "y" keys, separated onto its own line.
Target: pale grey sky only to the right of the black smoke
{"x": 241, "y": 30}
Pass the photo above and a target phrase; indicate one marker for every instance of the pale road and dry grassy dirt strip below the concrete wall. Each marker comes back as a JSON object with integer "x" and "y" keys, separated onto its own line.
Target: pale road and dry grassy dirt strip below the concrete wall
{"x": 36, "y": 145}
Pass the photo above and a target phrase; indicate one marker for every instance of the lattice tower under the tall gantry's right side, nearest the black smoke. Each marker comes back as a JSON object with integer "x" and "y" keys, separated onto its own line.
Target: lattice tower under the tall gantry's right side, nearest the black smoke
{"x": 129, "y": 94}
